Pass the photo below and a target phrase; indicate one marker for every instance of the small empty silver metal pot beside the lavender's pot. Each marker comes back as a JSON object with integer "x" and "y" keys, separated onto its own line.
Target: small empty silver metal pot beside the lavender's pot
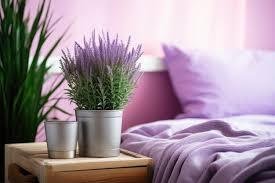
{"x": 61, "y": 139}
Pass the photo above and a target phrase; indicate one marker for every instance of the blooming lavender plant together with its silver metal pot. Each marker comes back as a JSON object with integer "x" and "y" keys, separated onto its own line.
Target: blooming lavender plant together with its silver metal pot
{"x": 101, "y": 77}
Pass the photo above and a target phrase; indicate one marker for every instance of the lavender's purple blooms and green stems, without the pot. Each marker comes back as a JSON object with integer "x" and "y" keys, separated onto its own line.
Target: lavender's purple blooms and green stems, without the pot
{"x": 101, "y": 74}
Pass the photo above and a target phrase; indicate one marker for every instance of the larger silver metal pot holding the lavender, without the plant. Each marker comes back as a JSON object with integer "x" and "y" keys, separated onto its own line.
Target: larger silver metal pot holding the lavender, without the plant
{"x": 99, "y": 132}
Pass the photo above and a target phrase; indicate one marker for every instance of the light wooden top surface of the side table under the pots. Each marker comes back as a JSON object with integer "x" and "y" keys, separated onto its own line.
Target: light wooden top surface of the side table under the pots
{"x": 31, "y": 156}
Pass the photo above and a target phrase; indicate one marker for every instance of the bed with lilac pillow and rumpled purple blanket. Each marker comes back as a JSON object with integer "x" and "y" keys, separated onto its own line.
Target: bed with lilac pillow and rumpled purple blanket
{"x": 225, "y": 131}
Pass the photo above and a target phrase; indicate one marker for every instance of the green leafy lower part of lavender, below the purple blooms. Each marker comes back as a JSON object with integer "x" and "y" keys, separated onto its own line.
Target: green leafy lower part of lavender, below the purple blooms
{"x": 101, "y": 91}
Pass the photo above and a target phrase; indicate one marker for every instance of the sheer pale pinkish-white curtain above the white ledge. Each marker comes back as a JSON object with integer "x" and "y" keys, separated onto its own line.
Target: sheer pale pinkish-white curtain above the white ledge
{"x": 189, "y": 23}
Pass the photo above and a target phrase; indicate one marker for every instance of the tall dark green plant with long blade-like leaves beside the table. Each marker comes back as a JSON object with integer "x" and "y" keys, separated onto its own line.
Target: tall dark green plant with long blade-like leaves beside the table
{"x": 23, "y": 71}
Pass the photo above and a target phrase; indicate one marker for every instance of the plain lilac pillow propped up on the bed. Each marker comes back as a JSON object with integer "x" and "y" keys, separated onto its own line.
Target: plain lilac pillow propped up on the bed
{"x": 221, "y": 84}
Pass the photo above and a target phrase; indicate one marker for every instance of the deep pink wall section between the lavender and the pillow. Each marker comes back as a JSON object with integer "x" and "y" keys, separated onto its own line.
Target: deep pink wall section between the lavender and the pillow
{"x": 153, "y": 100}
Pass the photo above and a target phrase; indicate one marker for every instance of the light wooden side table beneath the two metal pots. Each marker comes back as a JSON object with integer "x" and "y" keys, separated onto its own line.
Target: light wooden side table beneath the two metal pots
{"x": 129, "y": 167}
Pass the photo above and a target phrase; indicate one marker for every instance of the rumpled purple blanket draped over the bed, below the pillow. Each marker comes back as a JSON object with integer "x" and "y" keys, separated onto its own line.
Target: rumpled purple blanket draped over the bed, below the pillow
{"x": 236, "y": 149}
